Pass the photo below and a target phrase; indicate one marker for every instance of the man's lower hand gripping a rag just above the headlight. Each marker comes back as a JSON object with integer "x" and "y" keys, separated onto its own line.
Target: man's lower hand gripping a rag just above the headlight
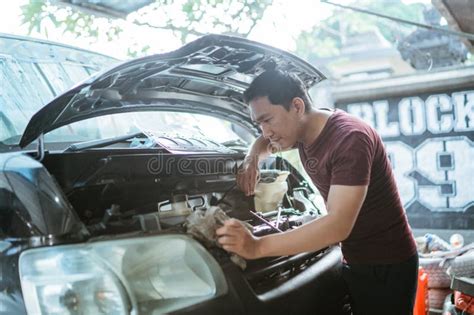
{"x": 236, "y": 238}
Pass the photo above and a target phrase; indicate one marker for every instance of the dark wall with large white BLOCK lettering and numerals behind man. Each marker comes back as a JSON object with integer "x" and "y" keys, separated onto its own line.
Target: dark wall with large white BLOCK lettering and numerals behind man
{"x": 429, "y": 137}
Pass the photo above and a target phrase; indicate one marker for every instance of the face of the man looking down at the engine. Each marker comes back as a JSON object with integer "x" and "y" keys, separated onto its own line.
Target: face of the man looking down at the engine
{"x": 277, "y": 124}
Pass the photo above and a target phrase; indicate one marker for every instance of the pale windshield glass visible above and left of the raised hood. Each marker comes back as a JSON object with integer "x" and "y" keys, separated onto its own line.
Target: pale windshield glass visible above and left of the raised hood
{"x": 32, "y": 73}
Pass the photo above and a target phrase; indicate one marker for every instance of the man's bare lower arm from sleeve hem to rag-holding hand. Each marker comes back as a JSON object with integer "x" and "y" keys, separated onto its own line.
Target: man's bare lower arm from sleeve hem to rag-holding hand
{"x": 344, "y": 203}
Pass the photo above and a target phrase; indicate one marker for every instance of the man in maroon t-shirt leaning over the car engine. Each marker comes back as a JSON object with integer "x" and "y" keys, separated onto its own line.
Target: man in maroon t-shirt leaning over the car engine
{"x": 347, "y": 162}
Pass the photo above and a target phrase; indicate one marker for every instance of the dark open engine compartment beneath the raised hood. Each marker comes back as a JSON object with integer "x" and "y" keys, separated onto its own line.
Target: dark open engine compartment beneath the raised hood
{"x": 117, "y": 192}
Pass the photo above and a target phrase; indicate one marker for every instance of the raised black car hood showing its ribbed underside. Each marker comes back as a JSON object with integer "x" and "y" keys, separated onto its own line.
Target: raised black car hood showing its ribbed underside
{"x": 207, "y": 76}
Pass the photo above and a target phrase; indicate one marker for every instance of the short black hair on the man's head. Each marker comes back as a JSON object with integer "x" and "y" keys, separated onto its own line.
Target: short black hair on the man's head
{"x": 280, "y": 87}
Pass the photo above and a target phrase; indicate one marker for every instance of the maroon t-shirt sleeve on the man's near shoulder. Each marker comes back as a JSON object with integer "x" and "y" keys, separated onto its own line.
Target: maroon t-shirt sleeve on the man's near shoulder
{"x": 352, "y": 160}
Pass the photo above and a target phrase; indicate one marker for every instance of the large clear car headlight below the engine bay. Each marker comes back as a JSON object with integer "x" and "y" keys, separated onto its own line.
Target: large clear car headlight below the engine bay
{"x": 155, "y": 275}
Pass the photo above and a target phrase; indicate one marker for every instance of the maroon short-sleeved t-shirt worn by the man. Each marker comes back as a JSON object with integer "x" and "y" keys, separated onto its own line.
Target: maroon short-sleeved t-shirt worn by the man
{"x": 350, "y": 152}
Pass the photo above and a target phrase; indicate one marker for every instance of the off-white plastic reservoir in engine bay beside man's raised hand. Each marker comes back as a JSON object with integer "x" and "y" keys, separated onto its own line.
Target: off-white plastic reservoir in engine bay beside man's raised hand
{"x": 270, "y": 189}
